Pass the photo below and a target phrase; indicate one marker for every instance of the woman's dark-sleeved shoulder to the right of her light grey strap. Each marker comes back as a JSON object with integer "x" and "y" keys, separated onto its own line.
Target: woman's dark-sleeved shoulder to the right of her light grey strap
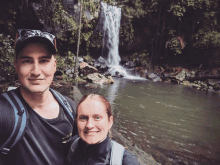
{"x": 129, "y": 158}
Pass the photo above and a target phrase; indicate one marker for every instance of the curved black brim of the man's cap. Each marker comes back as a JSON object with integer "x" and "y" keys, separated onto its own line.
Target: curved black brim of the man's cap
{"x": 36, "y": 39}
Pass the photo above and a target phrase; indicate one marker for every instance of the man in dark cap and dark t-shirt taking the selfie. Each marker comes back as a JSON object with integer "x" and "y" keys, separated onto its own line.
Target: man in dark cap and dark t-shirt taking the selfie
{"x": 49, "y": 129}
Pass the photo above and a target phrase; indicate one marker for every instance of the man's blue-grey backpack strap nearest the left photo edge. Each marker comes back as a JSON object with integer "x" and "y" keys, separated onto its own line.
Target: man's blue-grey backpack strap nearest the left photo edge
{"x": 19, "y": 124}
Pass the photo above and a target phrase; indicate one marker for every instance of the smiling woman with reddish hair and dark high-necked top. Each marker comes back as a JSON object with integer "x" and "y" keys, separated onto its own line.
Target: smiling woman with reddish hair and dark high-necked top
{"x": 94, "y": 147}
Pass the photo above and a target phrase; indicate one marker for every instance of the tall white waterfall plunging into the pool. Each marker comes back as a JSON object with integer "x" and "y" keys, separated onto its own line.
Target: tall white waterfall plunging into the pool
{"x": 111, "y": 24}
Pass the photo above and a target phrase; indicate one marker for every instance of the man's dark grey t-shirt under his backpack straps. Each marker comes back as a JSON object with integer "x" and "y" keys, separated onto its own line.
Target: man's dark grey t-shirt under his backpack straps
{"x": 45, "y": 141}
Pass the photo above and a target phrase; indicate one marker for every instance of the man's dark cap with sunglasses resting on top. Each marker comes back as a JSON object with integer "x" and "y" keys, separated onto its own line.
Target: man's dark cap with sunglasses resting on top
{"x": 25, "y": 36}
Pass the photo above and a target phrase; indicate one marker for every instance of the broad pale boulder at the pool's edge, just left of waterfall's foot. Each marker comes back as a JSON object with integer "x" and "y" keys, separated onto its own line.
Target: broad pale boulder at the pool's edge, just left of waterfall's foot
{"x": 97, "y": 78}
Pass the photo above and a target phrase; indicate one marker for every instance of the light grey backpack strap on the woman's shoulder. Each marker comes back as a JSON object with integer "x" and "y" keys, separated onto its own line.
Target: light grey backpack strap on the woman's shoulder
{"x": 117, "y": 153}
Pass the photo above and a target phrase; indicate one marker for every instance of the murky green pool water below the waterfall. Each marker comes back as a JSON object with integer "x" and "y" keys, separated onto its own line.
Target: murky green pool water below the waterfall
{"x": 176, "y": 124}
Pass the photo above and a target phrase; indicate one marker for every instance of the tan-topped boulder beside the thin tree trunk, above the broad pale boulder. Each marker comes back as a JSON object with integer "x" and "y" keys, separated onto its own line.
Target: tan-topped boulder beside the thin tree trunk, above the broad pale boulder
{"x": 85, "y": 69}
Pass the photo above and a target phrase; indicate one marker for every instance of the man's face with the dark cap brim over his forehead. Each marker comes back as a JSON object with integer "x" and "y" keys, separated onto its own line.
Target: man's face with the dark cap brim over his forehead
{"x": 35, "y": 68}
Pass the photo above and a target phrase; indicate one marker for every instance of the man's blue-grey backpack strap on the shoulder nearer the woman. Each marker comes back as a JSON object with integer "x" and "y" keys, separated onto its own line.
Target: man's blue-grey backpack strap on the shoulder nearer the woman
{"x": 61, "y": 99}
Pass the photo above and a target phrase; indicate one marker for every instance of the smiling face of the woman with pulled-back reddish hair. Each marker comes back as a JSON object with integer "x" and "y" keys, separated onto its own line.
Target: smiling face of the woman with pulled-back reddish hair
{"x": 92, "y": 121}
